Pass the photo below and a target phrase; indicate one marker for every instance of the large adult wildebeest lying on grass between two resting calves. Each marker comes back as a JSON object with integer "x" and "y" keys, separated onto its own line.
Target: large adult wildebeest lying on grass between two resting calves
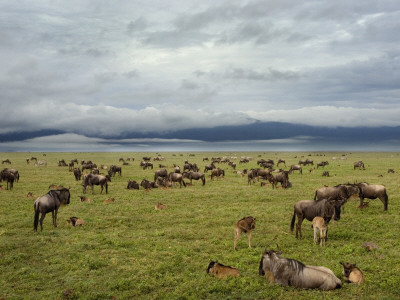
{"x": 290, "y": 272}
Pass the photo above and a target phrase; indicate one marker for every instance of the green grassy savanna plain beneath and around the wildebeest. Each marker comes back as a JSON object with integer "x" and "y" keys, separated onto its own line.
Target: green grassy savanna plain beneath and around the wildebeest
{"x": 129, "y": 250}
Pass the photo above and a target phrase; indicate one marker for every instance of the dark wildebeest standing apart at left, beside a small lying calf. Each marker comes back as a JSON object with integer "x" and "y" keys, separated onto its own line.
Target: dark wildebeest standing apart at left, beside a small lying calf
{"x": 49, "y": 203}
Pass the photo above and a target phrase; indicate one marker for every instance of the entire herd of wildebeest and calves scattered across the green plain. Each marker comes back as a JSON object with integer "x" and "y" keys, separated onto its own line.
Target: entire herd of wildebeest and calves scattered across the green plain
{"x": 327, "y": 204}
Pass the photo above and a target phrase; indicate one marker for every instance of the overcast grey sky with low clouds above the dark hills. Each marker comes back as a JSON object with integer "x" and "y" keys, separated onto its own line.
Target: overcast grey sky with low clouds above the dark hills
{"x": 99, "y": 68}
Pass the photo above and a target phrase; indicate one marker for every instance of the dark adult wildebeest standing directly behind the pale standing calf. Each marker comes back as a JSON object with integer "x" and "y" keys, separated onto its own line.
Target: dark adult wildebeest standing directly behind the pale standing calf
{"x": 309, "y": 209}
